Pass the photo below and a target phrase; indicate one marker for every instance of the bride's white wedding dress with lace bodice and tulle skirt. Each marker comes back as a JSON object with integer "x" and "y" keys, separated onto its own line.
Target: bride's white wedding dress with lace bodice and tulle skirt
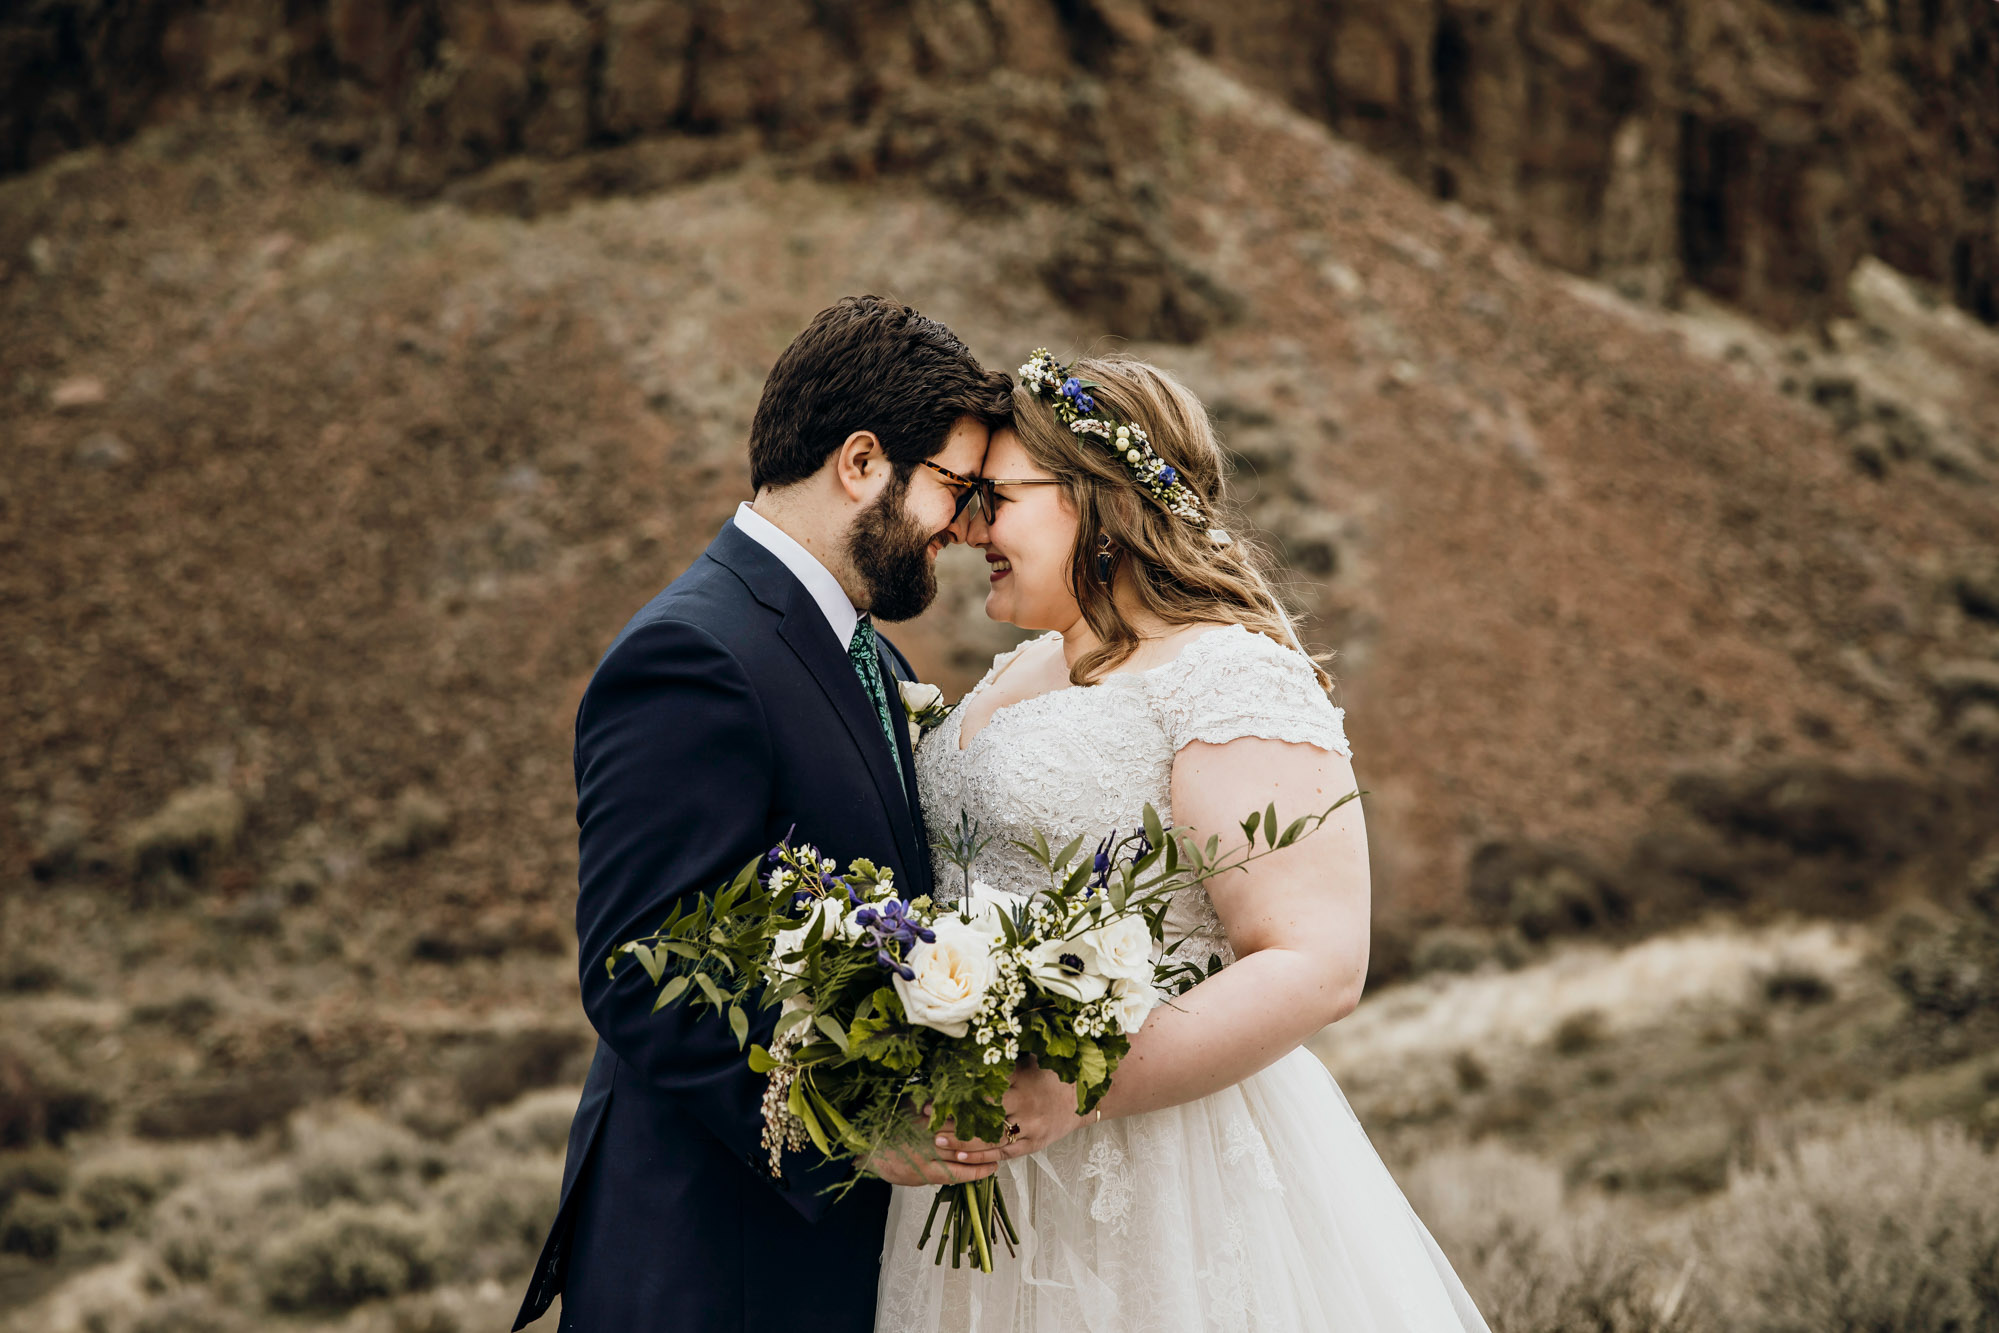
{"x": 1256, "y": 1210}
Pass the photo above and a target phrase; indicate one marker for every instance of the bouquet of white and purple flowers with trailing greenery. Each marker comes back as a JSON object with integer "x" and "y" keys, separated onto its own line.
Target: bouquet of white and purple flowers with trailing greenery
{"x": 893, "y": 1006}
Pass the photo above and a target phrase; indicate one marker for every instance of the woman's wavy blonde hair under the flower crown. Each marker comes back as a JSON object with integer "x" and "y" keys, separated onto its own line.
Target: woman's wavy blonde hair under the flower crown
{"x": 1176, "y": 573}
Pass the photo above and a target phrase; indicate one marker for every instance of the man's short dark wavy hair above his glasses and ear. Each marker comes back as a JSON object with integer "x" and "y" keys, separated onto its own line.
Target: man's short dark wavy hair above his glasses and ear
{"x": 869, "y": 365}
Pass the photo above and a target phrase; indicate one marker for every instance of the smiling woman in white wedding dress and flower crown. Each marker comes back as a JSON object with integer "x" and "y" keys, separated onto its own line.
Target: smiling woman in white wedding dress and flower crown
{"x": 1224, "y": 1182}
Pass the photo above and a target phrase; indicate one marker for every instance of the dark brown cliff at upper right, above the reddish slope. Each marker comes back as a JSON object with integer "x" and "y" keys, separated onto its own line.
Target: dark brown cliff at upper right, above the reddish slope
{"x": 1750, "y": 149}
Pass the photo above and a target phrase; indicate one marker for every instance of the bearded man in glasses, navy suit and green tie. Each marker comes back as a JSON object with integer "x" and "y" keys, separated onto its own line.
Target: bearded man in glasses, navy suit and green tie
{"x": 747, "y": 702}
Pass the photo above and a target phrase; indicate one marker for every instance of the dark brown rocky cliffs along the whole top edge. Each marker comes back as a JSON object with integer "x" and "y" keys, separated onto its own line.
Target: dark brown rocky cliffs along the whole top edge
{"x": 1750, "y": 149}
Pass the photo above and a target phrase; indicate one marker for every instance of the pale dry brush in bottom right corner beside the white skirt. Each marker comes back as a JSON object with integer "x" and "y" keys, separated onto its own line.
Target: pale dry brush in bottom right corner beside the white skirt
{"x": 1864, "y": 1228}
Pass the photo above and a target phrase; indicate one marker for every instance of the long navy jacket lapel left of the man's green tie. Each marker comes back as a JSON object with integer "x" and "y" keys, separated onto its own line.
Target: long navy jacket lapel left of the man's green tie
{"x": 805, "y": 631}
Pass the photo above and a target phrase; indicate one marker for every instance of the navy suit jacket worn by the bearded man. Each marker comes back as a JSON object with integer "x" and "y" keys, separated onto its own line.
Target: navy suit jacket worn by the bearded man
{"x": 721, "y": 718}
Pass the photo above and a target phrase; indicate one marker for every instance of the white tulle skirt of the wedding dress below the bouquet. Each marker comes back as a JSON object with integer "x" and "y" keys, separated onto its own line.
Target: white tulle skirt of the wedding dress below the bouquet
{"x": 1256, "y": 1210}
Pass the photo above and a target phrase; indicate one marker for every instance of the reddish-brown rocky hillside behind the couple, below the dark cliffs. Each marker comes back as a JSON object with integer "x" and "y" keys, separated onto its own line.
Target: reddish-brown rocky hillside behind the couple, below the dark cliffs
{"x": 323, "y": 507}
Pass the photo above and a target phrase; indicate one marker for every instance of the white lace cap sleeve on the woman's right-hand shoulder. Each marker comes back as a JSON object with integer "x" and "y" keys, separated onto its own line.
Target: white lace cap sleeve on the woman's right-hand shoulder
{"x": 1234, "y": 682}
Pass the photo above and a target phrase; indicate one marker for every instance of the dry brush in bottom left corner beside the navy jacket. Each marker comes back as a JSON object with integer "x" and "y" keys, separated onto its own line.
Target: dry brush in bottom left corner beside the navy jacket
{"x": 343, "y": 1212}
